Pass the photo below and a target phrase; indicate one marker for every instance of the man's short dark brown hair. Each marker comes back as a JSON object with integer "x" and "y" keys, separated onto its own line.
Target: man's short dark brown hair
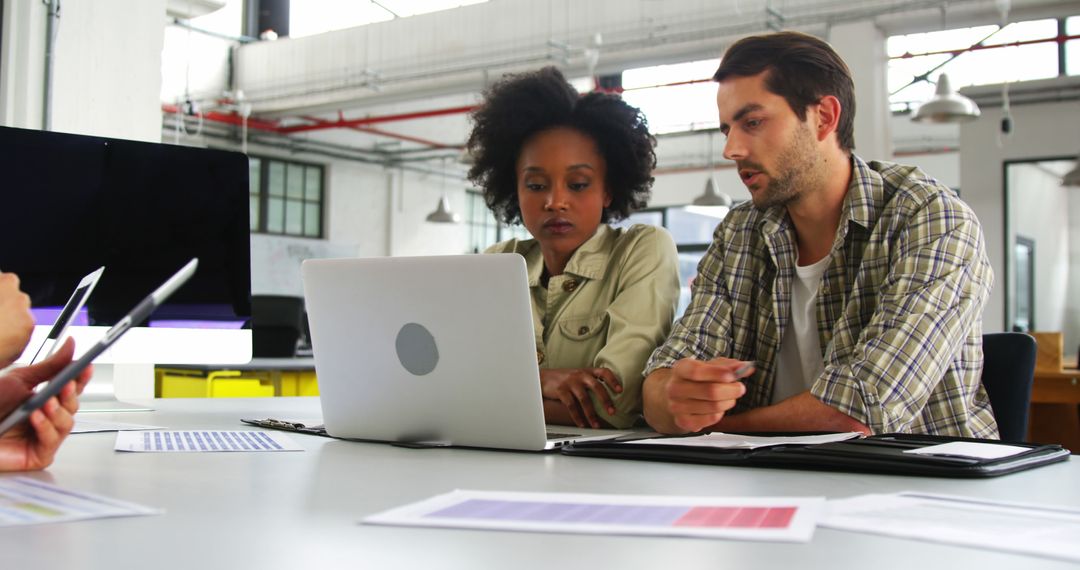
{"x": 802, "y": 70}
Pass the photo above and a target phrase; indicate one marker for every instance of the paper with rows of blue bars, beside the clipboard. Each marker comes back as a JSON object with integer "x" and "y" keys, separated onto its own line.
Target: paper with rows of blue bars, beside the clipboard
{"x": 205, "y": 441}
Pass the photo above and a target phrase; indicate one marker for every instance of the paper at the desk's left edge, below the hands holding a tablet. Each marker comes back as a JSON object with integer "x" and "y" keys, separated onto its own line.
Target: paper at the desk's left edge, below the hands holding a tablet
{"x": 28, "y": 501}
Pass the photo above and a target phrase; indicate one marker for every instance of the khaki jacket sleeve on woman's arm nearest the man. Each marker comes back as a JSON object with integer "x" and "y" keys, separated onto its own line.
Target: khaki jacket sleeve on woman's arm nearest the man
{"x": 640, "y": 318}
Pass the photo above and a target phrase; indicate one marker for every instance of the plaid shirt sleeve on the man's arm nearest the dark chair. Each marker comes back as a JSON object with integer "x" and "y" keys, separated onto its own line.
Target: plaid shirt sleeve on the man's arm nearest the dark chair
{"x": 931, "y": 298}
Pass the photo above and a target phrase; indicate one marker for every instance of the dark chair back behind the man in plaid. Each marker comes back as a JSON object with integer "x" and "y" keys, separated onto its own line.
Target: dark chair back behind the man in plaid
{"x": 1008, "y": 374}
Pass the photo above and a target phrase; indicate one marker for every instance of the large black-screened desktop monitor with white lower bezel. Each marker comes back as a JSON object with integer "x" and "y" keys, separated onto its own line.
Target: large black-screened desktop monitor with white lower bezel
{"x": 72, "y": 203}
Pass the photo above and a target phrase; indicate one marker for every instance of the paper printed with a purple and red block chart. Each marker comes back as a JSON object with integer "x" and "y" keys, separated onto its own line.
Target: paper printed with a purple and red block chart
{"x": 788, "y": 520}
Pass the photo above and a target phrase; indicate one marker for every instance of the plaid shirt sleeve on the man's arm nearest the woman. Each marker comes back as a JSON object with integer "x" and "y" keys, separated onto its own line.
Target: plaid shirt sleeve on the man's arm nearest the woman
{"x": 704, "y": 332}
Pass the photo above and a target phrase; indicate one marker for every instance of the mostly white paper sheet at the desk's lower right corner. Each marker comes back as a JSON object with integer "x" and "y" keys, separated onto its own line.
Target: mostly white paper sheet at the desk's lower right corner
{"x": 1039, "y": 531}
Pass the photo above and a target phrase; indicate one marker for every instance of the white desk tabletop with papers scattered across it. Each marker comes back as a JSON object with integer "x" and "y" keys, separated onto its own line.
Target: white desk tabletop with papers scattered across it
{"x": 300, "y": 510}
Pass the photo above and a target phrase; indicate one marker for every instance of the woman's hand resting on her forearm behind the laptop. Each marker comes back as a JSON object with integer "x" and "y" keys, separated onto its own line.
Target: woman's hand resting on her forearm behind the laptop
{"x": 572, "y": 388}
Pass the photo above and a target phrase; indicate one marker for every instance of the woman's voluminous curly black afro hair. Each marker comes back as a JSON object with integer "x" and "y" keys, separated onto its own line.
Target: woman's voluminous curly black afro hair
{"x": 520, "y": 106}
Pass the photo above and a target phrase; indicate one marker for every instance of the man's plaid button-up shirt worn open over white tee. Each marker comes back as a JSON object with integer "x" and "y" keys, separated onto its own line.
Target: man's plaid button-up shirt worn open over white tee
{"x": 899, "y": 308}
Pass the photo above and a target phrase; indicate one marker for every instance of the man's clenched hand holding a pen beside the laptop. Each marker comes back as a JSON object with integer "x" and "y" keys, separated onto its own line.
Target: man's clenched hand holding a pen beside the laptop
{"x": 694, "y": 396}
